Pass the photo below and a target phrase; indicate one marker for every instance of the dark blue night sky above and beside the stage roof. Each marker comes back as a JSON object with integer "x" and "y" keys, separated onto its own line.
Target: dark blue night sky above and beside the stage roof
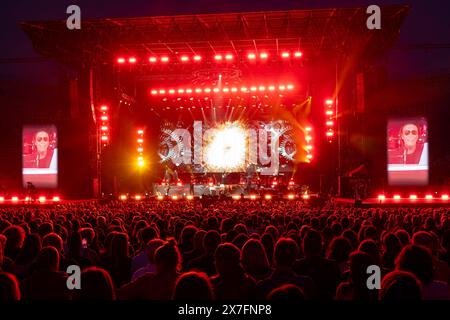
{"x": 428, "y": 22}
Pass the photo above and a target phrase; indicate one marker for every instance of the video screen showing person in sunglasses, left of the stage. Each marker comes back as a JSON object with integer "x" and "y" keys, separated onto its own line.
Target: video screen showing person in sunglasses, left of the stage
{"x": 39, "y": 156}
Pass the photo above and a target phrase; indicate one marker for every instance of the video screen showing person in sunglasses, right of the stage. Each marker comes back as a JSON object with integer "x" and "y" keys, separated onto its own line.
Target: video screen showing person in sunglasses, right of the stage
{"x": 407, "y": 149}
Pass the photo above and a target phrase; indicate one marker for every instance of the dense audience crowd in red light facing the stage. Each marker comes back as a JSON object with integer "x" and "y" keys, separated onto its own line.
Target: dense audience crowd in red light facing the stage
{"x": 240, "y": 250}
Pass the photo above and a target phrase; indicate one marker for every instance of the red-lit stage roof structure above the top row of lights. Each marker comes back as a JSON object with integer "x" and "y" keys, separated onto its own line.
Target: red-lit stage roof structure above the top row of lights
{"x": 314, "y": 31}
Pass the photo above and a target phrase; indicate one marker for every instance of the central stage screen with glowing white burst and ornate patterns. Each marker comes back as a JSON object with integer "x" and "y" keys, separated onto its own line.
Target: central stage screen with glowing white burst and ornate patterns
{"x": 268, "y": 147}
